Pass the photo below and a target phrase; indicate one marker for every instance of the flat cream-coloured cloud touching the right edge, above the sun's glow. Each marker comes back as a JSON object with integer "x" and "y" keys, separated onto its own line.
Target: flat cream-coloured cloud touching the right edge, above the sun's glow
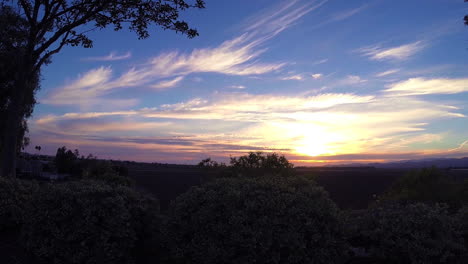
{"x": 421, "y": 86}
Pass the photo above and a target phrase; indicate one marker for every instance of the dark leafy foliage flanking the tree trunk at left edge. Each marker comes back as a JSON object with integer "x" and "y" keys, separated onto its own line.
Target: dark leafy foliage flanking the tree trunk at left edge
{"x": 13, "y": 35}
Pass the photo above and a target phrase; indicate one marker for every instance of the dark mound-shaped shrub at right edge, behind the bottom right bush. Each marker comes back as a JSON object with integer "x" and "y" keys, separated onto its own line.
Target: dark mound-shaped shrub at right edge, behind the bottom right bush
{"x": 428, "y": 185}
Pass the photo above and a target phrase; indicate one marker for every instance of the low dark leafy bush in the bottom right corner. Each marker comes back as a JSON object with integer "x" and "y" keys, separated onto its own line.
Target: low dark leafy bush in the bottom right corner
{"x": 413, "y": 233}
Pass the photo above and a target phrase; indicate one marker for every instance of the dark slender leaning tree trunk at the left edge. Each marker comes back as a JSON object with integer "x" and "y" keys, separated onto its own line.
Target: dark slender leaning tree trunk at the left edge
{"x": 12, "y": 125}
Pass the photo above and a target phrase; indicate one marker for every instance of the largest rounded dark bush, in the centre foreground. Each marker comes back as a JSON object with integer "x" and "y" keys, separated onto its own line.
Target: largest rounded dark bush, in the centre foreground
{"x": 257, "y": 220}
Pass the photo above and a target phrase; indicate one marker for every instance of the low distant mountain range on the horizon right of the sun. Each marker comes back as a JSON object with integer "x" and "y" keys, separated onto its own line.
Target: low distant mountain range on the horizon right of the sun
{"x": 422, "y": 163}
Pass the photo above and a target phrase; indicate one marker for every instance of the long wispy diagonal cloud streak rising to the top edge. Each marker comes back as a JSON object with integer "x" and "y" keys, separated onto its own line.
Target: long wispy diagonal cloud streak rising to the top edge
{"x": 239, "y": 56}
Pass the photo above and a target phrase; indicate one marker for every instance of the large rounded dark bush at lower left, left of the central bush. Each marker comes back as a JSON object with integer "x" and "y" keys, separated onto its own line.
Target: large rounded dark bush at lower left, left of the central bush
{"x": 90, "y": 222}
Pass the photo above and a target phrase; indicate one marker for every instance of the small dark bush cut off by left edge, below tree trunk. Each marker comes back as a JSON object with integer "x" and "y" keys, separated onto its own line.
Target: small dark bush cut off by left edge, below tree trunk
{"x": 15, "y": 195}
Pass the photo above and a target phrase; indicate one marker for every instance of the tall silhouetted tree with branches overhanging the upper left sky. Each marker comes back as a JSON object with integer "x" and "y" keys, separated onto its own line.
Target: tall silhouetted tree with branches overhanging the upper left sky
{"x": 49, "y": 25}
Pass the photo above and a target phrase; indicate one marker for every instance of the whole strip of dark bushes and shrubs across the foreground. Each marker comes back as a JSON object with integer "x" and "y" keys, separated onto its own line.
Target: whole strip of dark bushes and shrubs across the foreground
{"x": 257, "y": 209}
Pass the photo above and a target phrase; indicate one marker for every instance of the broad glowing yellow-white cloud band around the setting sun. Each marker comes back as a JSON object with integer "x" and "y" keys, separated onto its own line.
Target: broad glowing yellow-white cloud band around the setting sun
{"x": 233, "y": 123}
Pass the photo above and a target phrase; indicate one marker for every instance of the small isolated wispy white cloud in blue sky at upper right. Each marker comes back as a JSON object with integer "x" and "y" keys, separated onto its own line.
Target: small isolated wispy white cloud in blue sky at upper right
{"x": 402, "y": 52}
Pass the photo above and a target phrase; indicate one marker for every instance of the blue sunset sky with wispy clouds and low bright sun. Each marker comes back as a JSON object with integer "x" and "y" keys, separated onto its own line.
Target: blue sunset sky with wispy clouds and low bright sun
{"x": 319, "y": 81}
